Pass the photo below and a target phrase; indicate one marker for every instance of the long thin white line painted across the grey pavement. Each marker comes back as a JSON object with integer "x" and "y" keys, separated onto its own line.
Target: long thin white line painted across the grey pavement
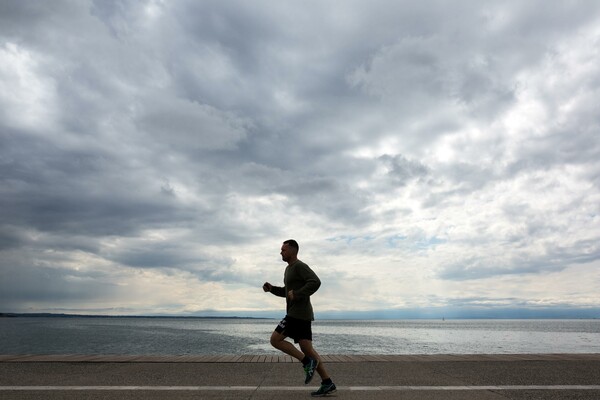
{"x": 296, "y": 388}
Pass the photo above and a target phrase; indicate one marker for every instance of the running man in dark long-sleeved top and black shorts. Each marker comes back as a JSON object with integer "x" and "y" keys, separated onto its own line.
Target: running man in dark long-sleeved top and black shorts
{"x": 300, "y": 283}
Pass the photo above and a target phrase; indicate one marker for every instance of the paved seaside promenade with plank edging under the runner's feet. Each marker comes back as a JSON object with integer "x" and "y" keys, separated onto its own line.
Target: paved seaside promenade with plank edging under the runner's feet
{"x": 559, "y": 376}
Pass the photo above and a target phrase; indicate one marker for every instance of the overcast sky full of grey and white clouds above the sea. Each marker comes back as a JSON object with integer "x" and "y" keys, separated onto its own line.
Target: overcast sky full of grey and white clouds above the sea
{"x": 425, "y": 154}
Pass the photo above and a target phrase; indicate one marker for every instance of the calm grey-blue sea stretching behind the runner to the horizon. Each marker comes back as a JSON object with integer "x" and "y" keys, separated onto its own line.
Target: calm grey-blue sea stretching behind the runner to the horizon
{"x": 188, "y": 336}
